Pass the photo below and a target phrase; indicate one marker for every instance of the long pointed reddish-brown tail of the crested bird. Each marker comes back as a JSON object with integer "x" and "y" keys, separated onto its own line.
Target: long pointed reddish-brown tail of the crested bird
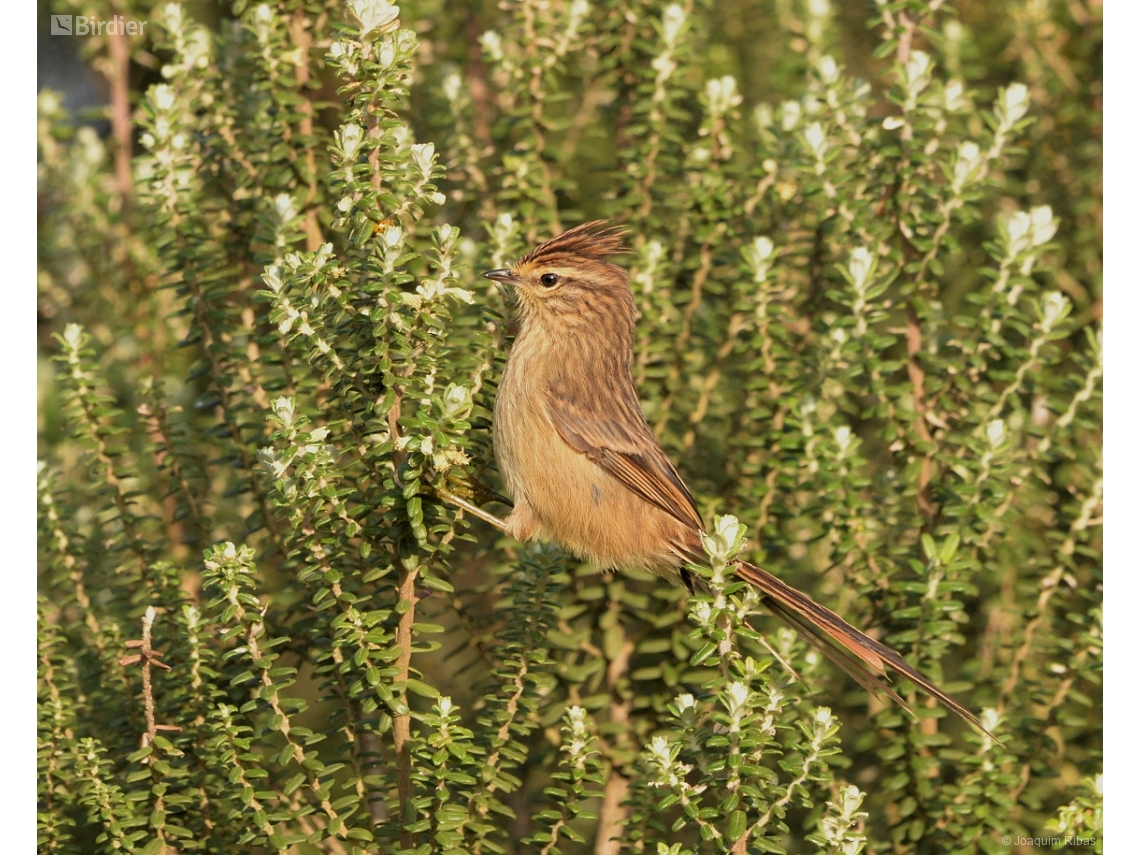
{"x": 862, "y": 657}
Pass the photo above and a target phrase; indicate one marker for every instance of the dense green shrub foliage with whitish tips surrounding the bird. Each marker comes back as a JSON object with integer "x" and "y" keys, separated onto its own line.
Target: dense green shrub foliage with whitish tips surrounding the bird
{"x": 867, "y": 253}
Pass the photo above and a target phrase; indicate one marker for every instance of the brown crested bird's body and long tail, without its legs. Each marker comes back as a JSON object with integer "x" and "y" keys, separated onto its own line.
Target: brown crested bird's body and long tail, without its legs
{"x": 583, "y": 467}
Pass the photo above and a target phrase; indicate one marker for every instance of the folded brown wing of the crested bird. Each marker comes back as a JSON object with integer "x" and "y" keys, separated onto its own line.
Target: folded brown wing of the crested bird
{"x": 615, "y": 436}
